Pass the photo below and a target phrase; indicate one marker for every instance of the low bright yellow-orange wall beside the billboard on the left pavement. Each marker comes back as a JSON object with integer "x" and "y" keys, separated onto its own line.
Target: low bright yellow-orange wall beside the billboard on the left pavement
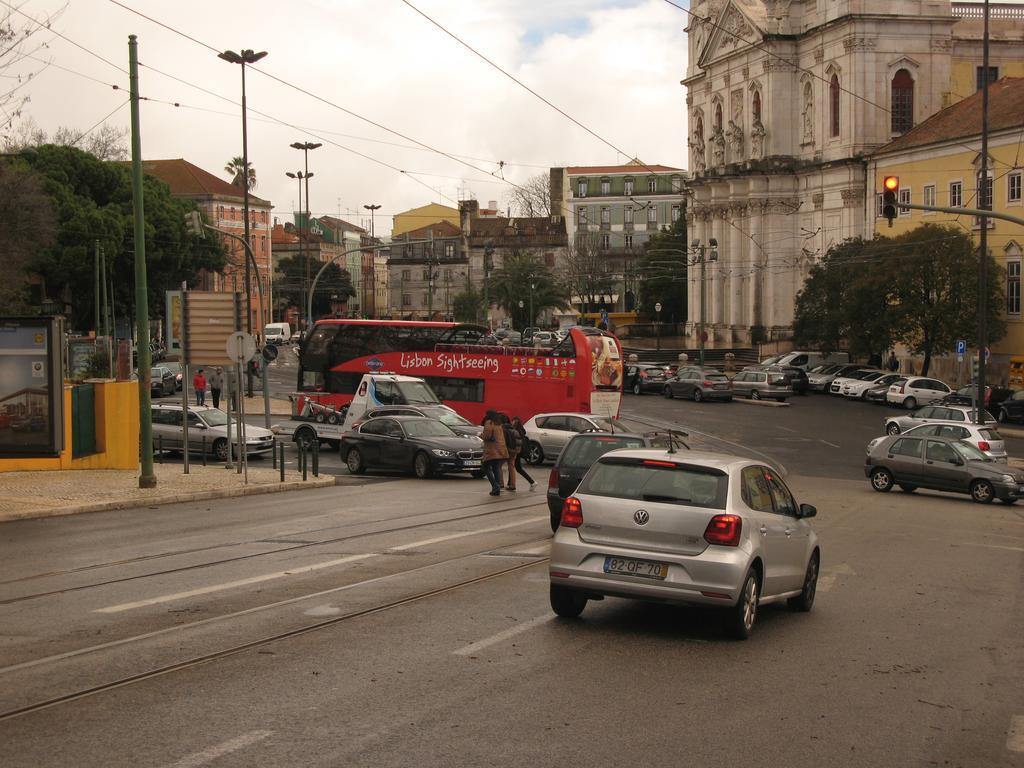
{"x": 117, "y": 434}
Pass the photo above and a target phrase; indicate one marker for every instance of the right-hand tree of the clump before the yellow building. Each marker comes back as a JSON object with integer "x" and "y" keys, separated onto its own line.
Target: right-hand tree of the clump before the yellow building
{"x": 934, "y": 273}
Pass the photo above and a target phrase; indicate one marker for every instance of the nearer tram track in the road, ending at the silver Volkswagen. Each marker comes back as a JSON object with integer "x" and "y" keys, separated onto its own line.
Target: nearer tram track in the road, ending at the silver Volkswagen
{"x": 211, "y": 657}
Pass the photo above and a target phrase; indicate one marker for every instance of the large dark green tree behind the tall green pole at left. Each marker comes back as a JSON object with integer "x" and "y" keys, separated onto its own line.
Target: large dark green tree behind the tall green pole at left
{"x": 93, "y": 201}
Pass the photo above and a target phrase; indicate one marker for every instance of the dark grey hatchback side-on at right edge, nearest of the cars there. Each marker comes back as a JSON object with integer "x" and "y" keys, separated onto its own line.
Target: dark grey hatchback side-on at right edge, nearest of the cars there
{"x": 942, "y": 464}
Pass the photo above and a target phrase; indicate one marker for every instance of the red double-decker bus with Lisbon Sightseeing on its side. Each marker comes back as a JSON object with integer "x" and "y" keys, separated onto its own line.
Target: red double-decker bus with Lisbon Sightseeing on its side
{"x": 582, "y": 374}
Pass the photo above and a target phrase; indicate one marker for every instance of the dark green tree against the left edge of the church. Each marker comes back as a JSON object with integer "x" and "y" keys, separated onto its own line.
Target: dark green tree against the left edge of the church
{"x": 663, "y": 273}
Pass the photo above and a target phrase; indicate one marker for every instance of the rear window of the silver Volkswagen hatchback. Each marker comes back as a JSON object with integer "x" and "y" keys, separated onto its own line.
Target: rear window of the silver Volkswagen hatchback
{"x": 647, "y": 481}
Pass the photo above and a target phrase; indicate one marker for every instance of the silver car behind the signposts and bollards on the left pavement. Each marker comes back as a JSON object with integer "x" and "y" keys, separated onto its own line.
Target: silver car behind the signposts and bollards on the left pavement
{"x": 207, "y": 429}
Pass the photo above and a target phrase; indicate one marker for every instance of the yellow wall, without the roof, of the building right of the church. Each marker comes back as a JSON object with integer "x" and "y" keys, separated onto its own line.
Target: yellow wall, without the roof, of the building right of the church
{"x": 942, "y": 165}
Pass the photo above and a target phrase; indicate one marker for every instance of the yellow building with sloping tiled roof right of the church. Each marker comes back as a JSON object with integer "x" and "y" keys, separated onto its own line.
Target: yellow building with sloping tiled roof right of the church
{"x": 938, "y": 163}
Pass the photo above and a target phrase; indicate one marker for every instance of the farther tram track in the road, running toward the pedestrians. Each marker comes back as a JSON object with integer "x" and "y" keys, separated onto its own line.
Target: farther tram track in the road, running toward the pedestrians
{"x": 279, "y": 550}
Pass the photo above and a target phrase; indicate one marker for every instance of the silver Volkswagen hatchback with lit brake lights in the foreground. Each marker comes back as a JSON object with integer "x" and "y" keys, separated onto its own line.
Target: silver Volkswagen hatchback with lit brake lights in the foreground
{"x": 695, "y": 529}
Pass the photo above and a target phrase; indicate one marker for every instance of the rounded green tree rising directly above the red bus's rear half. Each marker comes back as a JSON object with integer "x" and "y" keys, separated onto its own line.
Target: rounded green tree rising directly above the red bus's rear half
{"x": 510, "y": 284}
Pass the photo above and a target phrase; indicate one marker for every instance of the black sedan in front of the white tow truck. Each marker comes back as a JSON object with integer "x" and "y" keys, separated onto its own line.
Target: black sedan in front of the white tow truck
{"x": 410, "y": 444}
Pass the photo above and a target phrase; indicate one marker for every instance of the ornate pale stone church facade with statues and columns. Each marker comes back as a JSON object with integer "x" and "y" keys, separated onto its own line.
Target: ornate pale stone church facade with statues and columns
{"x": 786, "y": 99}
